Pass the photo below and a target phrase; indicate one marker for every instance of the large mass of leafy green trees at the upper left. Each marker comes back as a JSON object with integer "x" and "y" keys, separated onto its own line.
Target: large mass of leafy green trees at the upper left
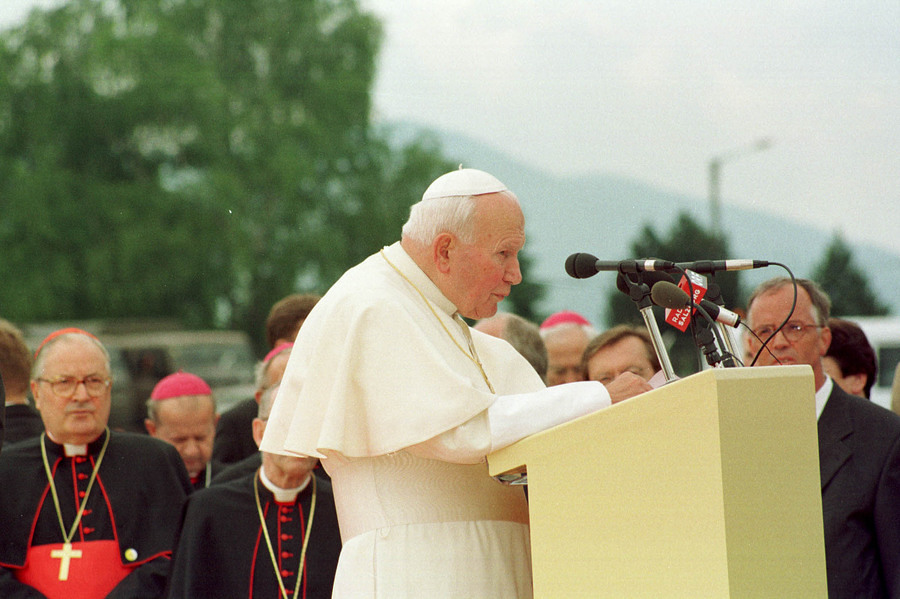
{"x": 197, "y": 158}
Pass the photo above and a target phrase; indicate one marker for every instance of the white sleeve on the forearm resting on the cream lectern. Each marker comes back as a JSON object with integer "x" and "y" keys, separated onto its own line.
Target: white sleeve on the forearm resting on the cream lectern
{"x": 514, "y": 417}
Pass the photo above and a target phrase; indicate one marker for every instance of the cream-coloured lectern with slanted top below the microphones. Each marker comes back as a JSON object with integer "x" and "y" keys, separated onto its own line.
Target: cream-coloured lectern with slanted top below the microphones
{"x": 706, "y": 487}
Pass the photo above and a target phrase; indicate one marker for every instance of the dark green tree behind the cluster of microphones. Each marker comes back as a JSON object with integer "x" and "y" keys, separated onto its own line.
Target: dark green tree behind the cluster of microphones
{"x": 686, "y": 241}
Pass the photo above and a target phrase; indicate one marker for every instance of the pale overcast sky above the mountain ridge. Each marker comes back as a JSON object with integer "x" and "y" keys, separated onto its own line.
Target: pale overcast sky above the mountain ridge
{"x": 653, "y": 89}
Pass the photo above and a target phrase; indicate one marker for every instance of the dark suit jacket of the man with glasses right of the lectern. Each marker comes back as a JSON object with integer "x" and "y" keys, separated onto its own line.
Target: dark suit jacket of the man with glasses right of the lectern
{"x": 859, "y": 464}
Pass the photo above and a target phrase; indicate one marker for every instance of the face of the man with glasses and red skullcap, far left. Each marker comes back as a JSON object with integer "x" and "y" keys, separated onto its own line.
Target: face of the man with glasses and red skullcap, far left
{"x": 81, "y": 417}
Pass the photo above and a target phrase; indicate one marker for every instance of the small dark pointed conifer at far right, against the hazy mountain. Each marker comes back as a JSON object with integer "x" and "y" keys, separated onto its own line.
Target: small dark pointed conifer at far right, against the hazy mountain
{"x": 846, "y": 285}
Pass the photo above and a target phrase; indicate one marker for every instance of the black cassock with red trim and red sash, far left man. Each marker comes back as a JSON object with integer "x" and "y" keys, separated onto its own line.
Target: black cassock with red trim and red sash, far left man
{"x": 122, "y": 546}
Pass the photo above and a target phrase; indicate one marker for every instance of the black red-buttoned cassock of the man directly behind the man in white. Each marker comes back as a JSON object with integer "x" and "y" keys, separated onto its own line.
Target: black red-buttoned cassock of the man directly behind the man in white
{"x": 222, "y": 551}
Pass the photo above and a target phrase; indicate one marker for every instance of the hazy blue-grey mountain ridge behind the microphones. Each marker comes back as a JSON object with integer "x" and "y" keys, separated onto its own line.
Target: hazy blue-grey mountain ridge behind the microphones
{"x": 603, "y": 213}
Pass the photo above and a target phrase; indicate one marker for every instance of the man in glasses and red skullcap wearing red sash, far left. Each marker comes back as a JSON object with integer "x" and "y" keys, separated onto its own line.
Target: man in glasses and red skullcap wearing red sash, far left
{"x": 85, "y": 512}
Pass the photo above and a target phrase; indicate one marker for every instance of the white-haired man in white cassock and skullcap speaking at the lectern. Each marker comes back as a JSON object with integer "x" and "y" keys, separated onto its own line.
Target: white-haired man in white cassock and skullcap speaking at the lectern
{"x": 402, "y": 401}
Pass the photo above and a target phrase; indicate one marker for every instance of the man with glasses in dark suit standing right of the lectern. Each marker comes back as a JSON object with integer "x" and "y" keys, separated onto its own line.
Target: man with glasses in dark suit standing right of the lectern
{"x": 859, "y": 445}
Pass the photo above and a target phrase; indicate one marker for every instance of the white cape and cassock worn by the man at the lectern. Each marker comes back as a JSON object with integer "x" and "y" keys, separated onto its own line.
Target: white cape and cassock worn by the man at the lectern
{"x": 379, "y": 387}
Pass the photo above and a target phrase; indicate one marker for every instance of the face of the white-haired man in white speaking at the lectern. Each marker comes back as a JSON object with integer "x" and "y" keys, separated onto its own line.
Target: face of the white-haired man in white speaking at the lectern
{"x": 483, "y": 273}
